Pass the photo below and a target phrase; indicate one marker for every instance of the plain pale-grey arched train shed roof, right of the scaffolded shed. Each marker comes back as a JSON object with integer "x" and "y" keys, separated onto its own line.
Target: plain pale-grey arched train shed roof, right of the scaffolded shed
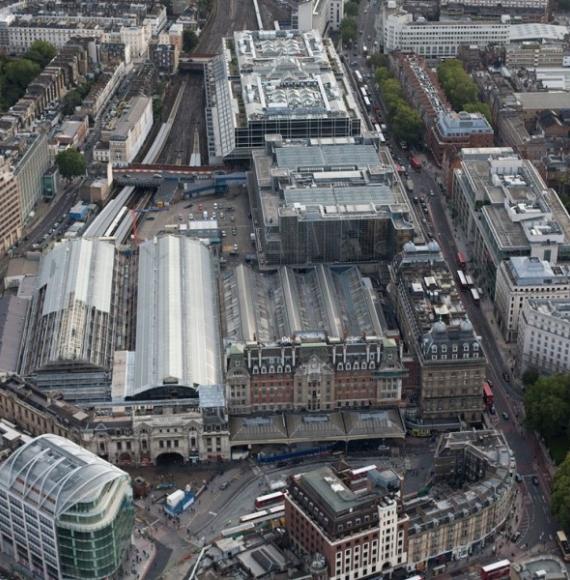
{"x": 177, "y": 319}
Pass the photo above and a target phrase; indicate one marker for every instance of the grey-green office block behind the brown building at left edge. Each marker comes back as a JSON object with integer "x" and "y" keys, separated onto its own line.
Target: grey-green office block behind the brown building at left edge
{"x": 28, "y": 154}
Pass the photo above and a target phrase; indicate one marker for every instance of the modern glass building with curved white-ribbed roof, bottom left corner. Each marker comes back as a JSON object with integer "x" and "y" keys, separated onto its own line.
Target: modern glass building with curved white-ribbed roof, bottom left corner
{"x": 66, "y": 513}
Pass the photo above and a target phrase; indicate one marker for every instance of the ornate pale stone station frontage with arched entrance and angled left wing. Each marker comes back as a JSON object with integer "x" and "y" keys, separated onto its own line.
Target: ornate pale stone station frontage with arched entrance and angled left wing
{"x": 128, "y": 433}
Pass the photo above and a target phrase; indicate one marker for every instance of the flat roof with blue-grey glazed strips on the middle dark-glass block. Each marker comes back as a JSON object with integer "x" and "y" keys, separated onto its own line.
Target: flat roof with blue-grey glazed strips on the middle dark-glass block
{"x": 329, "y": 179}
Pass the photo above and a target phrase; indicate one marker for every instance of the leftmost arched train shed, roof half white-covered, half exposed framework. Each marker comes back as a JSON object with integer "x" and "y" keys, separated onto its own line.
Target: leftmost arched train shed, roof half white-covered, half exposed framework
{"x": 74, "y": 321}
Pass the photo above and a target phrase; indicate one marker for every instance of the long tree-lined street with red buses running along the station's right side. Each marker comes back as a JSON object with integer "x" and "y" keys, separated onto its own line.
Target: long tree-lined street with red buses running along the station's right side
{"x": 537, "y": 526}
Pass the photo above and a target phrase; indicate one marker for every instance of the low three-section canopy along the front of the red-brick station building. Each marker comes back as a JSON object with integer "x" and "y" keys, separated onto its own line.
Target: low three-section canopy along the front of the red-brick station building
{"x": 289, "y": 428}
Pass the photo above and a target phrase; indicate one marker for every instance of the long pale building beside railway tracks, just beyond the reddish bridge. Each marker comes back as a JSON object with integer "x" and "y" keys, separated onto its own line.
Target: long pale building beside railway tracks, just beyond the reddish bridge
{"x": 128, "y": 130}
